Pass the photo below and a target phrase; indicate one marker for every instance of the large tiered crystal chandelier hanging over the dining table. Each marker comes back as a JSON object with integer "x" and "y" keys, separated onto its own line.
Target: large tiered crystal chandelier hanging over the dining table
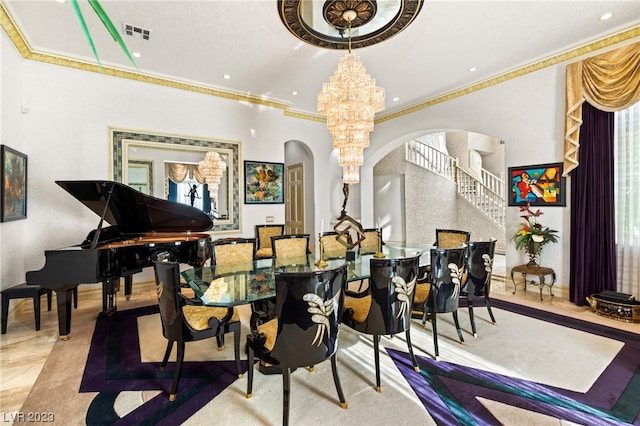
{"x": 350, "y": 100}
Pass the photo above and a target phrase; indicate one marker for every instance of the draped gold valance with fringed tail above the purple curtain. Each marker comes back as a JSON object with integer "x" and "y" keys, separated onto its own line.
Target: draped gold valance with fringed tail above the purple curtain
{"x": 610, "y": 81}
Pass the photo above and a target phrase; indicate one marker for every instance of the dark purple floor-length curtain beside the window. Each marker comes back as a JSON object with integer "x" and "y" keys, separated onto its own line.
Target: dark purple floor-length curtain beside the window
{"x": 593, "y": 254}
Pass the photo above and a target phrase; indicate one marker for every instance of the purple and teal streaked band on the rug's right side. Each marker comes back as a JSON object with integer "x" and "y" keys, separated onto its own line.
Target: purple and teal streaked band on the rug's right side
{"x": 450, "y": 392}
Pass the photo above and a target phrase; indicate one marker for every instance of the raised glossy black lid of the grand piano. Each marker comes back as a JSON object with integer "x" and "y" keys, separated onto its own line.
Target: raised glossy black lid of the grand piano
{"x": 134, "y": 212}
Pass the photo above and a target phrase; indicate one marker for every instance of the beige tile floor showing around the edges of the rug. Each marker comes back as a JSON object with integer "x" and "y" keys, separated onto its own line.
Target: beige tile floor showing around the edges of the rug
{"x": 23, "y": 351}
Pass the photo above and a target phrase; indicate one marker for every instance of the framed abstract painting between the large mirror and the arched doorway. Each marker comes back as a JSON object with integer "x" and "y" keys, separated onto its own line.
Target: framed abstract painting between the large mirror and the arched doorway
{"x": 264, "y": 183}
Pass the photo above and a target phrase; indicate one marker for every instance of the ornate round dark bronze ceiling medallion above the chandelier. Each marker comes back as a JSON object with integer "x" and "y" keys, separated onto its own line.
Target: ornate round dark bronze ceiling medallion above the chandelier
{"x": 323, "y": 24}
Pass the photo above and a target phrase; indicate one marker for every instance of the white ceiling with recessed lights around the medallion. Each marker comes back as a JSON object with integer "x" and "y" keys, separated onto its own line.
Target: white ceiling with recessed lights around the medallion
{"x": 198, "y": 42}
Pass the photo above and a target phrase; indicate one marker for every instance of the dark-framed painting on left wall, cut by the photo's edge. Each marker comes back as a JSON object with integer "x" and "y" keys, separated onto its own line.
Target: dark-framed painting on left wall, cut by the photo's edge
{"x": 13, "y": 193}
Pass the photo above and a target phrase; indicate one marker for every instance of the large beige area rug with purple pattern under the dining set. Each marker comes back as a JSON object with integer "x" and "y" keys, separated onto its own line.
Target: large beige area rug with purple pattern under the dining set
{"x": 534, "y": 367}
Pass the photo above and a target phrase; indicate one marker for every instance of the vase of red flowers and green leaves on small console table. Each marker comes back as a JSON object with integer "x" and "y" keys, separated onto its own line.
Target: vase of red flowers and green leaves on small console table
{"x": 532, "y": 236}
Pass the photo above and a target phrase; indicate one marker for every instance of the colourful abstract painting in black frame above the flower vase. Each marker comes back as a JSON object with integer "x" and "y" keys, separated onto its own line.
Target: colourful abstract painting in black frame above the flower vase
{"x": 538, "y": 185}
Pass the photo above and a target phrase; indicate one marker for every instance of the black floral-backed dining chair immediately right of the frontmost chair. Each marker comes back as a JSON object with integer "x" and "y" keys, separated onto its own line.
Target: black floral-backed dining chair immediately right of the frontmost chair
{"x": 385, "y": 308}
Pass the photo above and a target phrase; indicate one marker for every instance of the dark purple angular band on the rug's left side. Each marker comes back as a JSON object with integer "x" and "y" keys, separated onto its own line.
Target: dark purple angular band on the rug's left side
{"x": 114, "y": 366}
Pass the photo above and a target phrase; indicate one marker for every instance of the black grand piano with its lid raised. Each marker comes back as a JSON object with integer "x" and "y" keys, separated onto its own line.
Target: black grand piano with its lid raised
{"x": 142, "y": 227}
